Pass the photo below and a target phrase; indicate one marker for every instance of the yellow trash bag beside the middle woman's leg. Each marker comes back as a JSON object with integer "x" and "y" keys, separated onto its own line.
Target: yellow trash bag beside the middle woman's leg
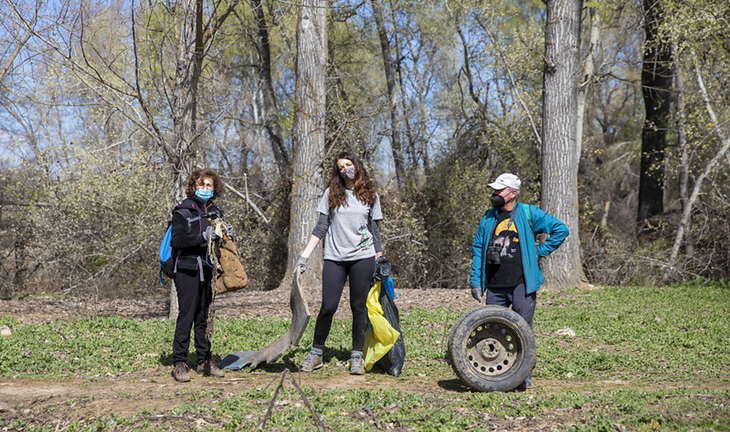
{"x": 380, "y": 338}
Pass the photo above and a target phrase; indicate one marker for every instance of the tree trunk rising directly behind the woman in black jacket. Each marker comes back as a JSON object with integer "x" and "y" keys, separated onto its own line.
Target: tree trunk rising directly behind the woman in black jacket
{"x": 184, "y": 103}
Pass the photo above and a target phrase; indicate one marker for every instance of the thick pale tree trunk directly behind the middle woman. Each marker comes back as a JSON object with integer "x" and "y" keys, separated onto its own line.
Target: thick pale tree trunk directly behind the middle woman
{"x": 309, "y": 132}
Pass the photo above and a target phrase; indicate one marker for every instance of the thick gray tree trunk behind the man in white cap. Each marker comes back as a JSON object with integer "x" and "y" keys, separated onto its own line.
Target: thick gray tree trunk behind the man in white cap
{"x": 559, "y": 154}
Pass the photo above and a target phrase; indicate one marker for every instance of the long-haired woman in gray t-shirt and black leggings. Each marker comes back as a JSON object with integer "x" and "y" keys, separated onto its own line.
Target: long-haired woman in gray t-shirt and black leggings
{"x": 349, "y": 212}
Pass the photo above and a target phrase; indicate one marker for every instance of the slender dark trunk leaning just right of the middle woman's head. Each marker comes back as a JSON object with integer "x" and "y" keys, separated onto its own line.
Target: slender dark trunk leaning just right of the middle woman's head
{"x": 389, "y": 64}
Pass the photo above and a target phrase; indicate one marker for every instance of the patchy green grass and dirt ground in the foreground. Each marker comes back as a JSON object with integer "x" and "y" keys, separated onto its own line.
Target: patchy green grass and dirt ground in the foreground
{"x": 642, "y": 359}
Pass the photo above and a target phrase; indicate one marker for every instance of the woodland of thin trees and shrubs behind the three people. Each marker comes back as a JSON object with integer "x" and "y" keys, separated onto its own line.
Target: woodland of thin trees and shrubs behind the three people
{"x": 99, "y": 126}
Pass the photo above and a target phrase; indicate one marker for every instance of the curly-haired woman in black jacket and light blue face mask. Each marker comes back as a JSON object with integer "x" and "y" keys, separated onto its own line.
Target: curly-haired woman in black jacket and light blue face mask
{"x": 193, "y": 271}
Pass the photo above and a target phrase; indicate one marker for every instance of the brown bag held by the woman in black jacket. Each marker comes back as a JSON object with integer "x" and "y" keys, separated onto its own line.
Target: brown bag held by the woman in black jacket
{"x": 229, "y": 270}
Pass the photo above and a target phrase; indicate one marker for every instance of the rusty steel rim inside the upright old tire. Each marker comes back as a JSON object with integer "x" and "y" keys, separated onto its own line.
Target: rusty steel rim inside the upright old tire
{"x": 493, "y": 348}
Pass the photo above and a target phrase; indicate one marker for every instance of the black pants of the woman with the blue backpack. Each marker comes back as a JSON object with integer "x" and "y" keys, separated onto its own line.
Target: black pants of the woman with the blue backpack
{"x": 193, "y": 299}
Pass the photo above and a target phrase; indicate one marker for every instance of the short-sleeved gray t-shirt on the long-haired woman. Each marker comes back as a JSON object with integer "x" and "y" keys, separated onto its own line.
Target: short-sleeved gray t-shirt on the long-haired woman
{"x": 348, "y": 235}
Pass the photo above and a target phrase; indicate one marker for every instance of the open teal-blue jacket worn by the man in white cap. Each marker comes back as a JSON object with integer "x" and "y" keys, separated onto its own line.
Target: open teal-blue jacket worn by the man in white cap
{"x": 541, "y": 223}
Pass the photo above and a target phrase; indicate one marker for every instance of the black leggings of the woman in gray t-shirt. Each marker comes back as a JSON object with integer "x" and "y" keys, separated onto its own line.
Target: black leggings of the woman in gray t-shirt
{"x": 334, "y": 274}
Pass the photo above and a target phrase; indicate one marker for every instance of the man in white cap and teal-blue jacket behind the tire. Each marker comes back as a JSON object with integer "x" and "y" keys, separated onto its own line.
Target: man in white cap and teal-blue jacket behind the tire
{"x": 504, "y": 261}
